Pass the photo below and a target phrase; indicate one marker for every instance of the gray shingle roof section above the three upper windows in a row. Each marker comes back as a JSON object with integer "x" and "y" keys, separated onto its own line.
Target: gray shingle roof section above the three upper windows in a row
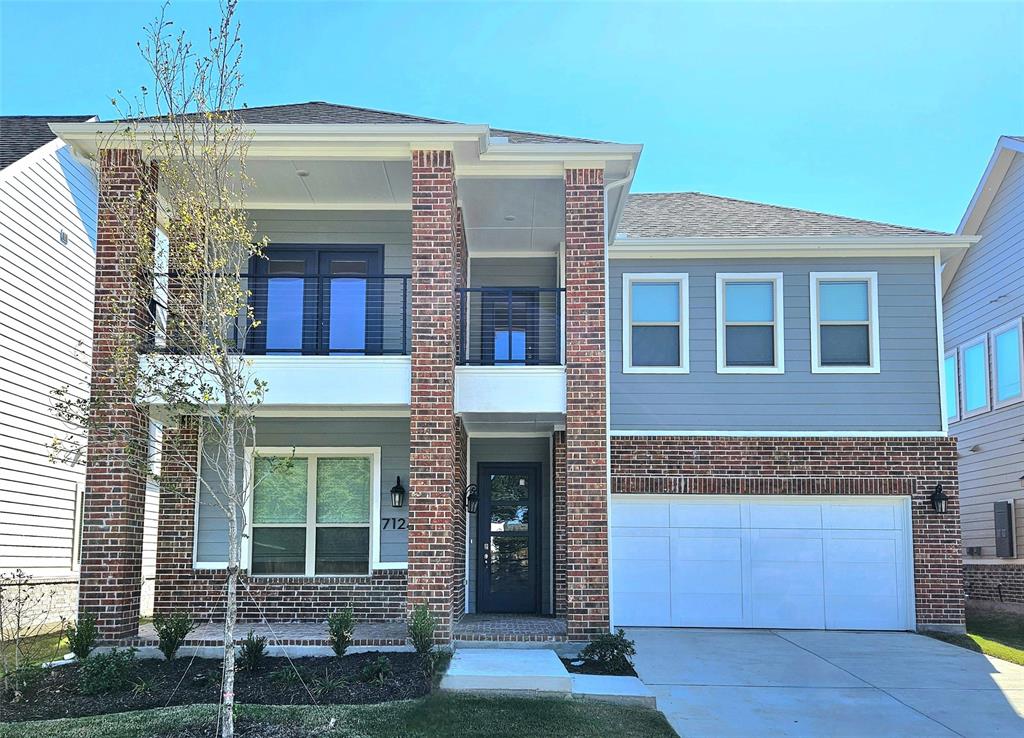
{"x": 696, "y": 215}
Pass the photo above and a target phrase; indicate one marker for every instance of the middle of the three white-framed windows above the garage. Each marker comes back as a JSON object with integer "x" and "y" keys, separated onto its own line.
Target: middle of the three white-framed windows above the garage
{"x": 750, "y": 331}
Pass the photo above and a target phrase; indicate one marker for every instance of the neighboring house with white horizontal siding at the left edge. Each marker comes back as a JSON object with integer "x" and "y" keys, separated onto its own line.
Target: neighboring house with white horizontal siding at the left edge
{"x": 48, "y": 250}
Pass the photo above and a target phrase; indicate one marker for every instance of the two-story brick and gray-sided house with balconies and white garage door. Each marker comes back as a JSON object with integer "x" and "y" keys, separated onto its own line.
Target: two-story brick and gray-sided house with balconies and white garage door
{"x": 677, "y": 410}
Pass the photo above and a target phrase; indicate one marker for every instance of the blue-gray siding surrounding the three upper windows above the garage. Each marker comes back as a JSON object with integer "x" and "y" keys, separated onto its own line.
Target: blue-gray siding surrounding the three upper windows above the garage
{"x": 905, "y": 397}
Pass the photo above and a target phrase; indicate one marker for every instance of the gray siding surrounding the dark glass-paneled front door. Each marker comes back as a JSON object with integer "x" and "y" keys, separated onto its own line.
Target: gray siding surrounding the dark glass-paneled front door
{"x": 532, "y": 451}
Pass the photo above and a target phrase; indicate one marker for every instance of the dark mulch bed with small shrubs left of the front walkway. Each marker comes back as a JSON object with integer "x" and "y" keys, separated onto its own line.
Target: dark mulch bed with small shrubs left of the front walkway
{"x": 186, "y": 681}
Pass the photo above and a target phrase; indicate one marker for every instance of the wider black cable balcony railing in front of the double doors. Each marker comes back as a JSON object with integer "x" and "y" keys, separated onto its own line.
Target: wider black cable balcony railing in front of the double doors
{"x": 350, "y": 316}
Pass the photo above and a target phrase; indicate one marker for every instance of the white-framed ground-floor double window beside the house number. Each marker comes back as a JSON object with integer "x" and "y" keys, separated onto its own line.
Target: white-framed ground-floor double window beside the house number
{"x": 313, "y": 512}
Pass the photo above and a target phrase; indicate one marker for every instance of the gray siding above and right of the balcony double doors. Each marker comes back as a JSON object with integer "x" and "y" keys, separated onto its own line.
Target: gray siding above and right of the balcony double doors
{"x": 392, "y": 229}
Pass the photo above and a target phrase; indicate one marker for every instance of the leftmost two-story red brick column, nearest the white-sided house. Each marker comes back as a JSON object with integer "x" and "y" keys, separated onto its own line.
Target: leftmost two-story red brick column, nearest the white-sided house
{"x": 115, "y": 483}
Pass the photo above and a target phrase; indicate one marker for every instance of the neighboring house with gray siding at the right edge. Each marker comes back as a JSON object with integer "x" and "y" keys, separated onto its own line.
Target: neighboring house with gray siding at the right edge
{"x": 984, "y": 308}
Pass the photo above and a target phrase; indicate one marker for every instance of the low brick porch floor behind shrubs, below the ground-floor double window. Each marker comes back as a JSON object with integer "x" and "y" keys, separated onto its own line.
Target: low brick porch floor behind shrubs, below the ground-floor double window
{"x": 285, "y": 634}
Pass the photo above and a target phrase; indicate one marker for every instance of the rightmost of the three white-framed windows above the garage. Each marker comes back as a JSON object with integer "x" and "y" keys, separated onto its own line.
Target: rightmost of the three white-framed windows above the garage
{"x": 844, "y": 323}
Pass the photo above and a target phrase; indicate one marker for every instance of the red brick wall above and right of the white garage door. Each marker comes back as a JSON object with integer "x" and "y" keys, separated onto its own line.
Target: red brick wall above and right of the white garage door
{"x": 684, "y": 465}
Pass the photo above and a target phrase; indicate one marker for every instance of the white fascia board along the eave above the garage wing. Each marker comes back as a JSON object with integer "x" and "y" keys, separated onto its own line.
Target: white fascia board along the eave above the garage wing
{"x": 788, "y": 246}
